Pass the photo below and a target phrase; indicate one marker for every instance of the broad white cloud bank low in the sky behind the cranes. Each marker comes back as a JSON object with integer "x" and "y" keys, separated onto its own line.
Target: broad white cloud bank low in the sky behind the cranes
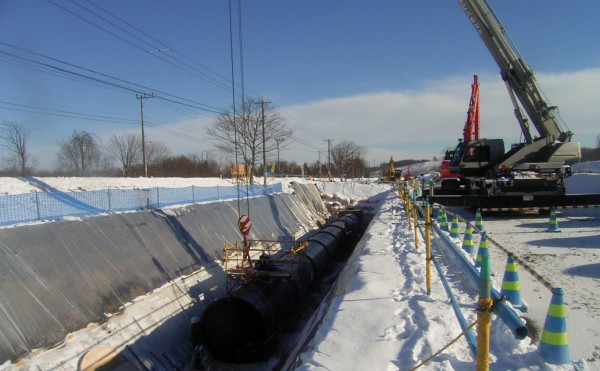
{"x": 421, "y": 123}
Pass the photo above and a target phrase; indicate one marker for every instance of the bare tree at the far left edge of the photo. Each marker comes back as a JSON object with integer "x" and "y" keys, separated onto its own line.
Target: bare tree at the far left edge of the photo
{"x": 14, "y": 138}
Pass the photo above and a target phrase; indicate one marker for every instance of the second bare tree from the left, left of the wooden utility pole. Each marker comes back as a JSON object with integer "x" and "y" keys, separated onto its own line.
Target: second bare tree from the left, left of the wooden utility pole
{"x": 79, "y": 154}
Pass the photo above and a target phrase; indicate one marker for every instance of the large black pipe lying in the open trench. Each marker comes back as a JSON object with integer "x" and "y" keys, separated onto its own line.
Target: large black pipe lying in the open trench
{"x": 235, "y": 328}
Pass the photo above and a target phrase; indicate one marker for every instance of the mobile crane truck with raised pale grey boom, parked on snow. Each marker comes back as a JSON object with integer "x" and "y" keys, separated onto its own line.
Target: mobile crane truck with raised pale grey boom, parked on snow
{"x": 530, "y": 173}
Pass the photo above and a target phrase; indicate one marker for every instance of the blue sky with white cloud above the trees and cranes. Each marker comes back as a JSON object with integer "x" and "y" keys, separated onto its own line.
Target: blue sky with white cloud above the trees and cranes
{"x": 393, "y": 76}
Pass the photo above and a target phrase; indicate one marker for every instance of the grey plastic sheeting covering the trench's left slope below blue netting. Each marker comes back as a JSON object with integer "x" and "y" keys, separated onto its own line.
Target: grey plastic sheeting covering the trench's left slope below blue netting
{"x": 58, "y": 277}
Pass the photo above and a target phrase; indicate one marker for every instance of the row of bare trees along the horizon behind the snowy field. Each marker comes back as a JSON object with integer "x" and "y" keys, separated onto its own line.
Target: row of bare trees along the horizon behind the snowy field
{"x": 245, "y": 131}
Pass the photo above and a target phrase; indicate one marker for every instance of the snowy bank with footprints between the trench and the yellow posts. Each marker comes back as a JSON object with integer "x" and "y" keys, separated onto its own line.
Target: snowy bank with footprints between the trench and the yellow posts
{"x": 384, "y": 320}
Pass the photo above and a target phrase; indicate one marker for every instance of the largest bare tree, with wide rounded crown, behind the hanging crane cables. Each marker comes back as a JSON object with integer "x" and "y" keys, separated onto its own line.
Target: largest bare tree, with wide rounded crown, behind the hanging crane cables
{"x": 242, "y": 134}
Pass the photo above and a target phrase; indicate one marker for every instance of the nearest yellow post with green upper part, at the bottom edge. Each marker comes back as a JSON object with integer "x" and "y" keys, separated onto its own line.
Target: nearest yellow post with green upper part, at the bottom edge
{"x": 484, "y": 314}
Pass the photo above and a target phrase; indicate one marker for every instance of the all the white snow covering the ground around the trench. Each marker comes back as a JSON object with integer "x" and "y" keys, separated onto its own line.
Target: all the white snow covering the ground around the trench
{"x": 386, "y": 321}
